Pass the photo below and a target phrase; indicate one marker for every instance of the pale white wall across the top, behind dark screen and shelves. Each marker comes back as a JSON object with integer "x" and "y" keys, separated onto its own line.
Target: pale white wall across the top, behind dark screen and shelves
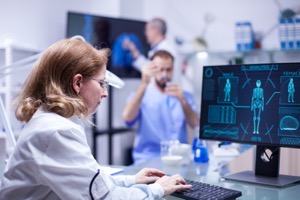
{"x": 39, "y": 23}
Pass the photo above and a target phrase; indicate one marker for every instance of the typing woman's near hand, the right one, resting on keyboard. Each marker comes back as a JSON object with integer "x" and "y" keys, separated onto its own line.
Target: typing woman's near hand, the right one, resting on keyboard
{"x": 171, "y": 184}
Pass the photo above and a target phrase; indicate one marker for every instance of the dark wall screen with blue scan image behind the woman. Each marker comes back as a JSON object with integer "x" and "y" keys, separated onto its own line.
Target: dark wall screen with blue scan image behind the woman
{"x": 110, "y": 32}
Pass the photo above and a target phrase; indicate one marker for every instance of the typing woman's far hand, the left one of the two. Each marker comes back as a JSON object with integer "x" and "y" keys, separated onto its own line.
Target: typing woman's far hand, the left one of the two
{"x": 148, "y": 175}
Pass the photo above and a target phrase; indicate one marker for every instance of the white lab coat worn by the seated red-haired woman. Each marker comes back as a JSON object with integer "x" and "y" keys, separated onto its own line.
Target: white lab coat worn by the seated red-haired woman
{"x": 52, "y": 160}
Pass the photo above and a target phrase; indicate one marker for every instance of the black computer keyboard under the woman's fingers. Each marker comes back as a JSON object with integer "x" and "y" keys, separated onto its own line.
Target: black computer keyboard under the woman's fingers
{"x": 207, "y": 191}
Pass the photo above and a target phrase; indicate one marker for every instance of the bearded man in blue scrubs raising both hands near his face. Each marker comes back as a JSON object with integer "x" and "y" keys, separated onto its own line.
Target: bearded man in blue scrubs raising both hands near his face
{"x": 161, "y": 108}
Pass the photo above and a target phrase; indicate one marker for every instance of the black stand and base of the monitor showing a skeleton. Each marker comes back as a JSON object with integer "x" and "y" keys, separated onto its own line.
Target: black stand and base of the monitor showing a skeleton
{"x": 266, "y": 169}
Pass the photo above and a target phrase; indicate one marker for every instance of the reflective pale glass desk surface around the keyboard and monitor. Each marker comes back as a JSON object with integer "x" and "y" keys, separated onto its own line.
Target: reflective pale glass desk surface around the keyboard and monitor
{"x": 212, "y": 171}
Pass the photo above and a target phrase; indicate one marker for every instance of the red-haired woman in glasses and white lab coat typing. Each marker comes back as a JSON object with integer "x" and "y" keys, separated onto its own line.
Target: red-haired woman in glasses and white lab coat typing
{"x": 52, "y": 159}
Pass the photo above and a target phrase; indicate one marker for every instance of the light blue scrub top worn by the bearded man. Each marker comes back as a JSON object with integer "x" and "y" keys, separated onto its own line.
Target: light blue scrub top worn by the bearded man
{"x": 160, "y": 118}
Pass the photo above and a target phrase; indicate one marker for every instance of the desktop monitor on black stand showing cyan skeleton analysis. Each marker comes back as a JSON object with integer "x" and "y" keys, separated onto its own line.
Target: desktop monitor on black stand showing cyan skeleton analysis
{"x": 255, "y": 104}
